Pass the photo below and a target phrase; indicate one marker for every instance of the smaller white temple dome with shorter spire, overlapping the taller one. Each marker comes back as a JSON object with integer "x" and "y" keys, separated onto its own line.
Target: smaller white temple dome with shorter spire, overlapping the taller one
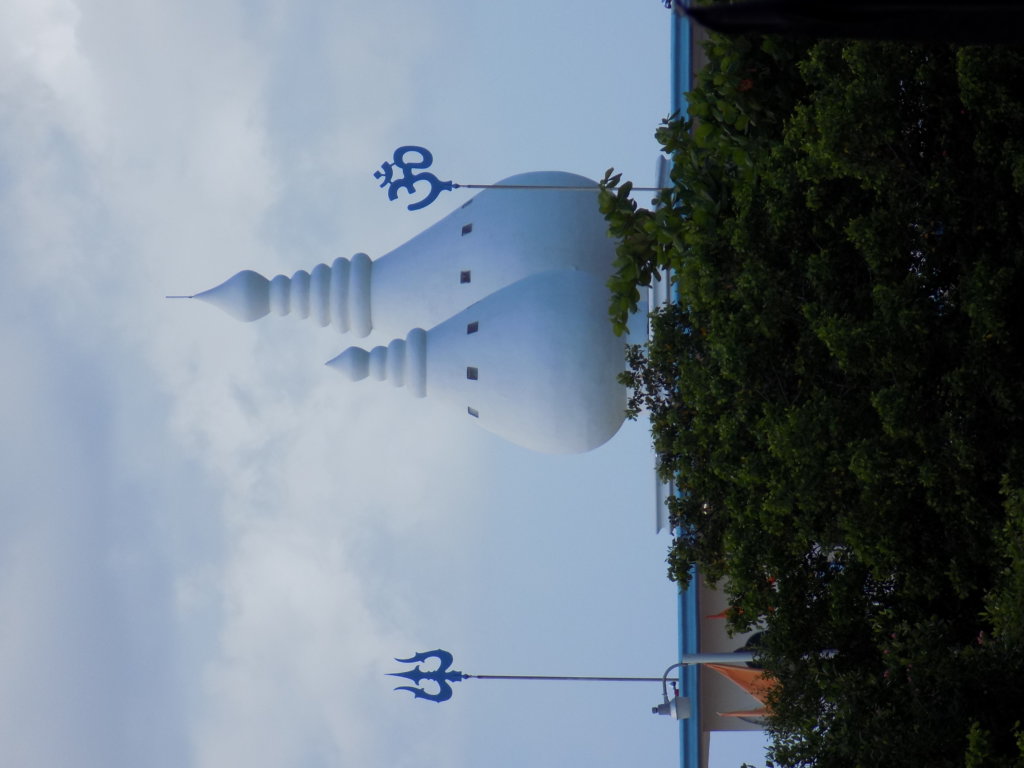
{"x": 536, "y": 363}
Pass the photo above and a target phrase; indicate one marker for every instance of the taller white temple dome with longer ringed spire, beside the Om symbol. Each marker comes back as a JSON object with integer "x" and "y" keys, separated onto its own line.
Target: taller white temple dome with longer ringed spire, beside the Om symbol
{"x": 496, "y": 239}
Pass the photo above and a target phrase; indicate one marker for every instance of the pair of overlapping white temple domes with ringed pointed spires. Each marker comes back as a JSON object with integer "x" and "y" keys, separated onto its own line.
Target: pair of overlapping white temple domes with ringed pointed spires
{"x": 499, "y": 313}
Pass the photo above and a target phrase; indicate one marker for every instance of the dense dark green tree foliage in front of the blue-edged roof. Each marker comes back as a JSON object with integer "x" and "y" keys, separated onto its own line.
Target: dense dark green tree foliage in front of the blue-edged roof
{"x": 839, "y": 391}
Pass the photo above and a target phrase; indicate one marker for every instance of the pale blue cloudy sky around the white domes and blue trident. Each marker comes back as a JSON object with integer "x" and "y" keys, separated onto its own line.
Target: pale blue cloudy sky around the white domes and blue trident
{"x": 211, "y": 546}
